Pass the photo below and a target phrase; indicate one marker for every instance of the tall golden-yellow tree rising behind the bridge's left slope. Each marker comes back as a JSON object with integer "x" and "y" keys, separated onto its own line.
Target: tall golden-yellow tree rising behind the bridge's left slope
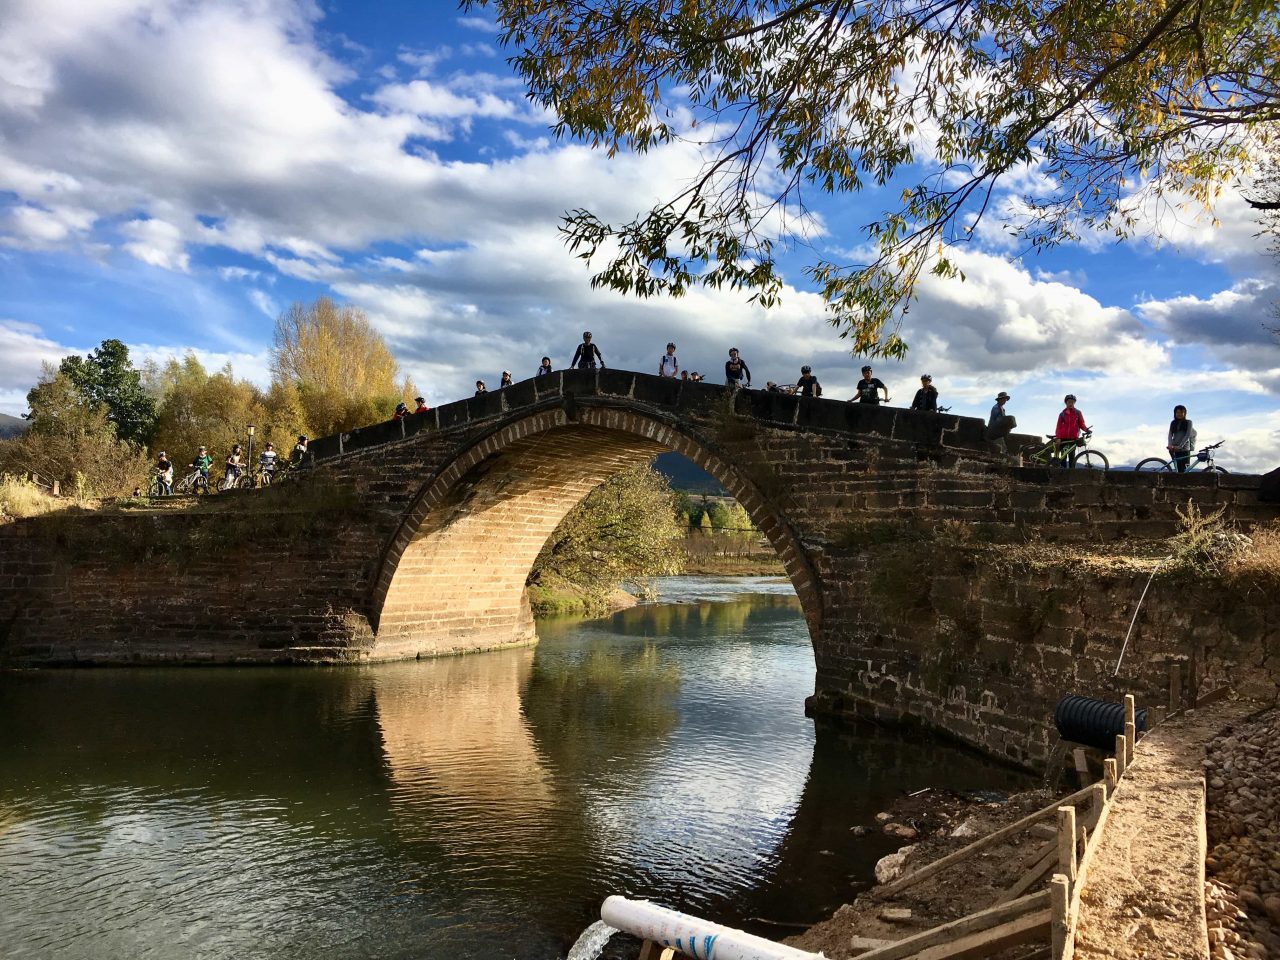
{"x": 339, "y": 365}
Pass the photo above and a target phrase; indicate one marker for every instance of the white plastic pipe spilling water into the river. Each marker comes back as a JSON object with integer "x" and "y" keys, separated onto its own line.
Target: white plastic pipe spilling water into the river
{"x": 701, "y": 940}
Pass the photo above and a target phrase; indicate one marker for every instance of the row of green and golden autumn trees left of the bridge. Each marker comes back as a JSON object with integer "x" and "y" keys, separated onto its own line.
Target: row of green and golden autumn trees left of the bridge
{"x": 97, "y": 422}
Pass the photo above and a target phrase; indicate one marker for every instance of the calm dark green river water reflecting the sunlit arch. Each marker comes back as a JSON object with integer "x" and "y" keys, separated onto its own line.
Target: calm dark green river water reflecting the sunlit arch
{"x": 472, "y": 807}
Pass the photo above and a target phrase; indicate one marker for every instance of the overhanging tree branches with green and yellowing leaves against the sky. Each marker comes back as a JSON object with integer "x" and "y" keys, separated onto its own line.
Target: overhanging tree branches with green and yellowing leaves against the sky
{"x": 1094, "y": 107}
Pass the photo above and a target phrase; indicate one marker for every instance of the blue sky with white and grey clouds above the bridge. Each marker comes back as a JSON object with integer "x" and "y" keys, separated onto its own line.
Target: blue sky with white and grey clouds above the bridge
{"x": 176, "y": 172}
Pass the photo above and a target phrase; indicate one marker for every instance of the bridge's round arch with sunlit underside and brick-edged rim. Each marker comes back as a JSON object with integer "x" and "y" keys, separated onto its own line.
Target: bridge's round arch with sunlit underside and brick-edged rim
{"x": 454, "y": 575}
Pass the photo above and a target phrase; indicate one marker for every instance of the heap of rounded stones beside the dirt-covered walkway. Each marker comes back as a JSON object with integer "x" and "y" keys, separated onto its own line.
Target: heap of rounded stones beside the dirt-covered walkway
{"x": 1244, "y": 895}
